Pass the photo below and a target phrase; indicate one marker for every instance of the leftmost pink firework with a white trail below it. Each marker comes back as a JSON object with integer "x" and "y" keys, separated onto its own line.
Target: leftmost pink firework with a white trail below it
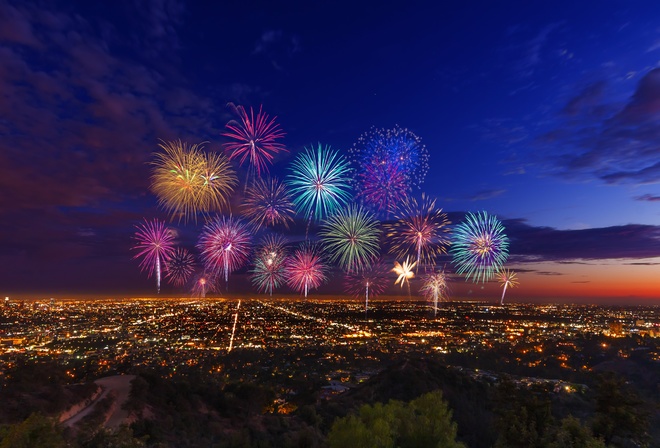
{"x": 155, "y": 244}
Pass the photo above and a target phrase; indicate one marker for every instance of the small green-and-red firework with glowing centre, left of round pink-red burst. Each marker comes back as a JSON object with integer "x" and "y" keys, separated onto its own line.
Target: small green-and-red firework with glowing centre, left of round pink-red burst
{"x": 269, "y": 267}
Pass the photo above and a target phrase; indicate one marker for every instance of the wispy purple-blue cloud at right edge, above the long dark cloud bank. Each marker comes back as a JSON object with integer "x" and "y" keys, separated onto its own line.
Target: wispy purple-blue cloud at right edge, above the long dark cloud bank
{"x": 597, "y": 138}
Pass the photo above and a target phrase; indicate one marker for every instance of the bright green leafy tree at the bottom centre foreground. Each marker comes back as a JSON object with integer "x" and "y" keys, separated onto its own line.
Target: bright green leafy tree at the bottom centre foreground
{"x": 424, "y": 422}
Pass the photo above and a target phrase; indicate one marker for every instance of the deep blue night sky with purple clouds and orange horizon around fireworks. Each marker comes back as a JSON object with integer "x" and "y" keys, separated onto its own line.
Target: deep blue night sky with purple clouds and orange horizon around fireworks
{"x": 546, "y": 114}
